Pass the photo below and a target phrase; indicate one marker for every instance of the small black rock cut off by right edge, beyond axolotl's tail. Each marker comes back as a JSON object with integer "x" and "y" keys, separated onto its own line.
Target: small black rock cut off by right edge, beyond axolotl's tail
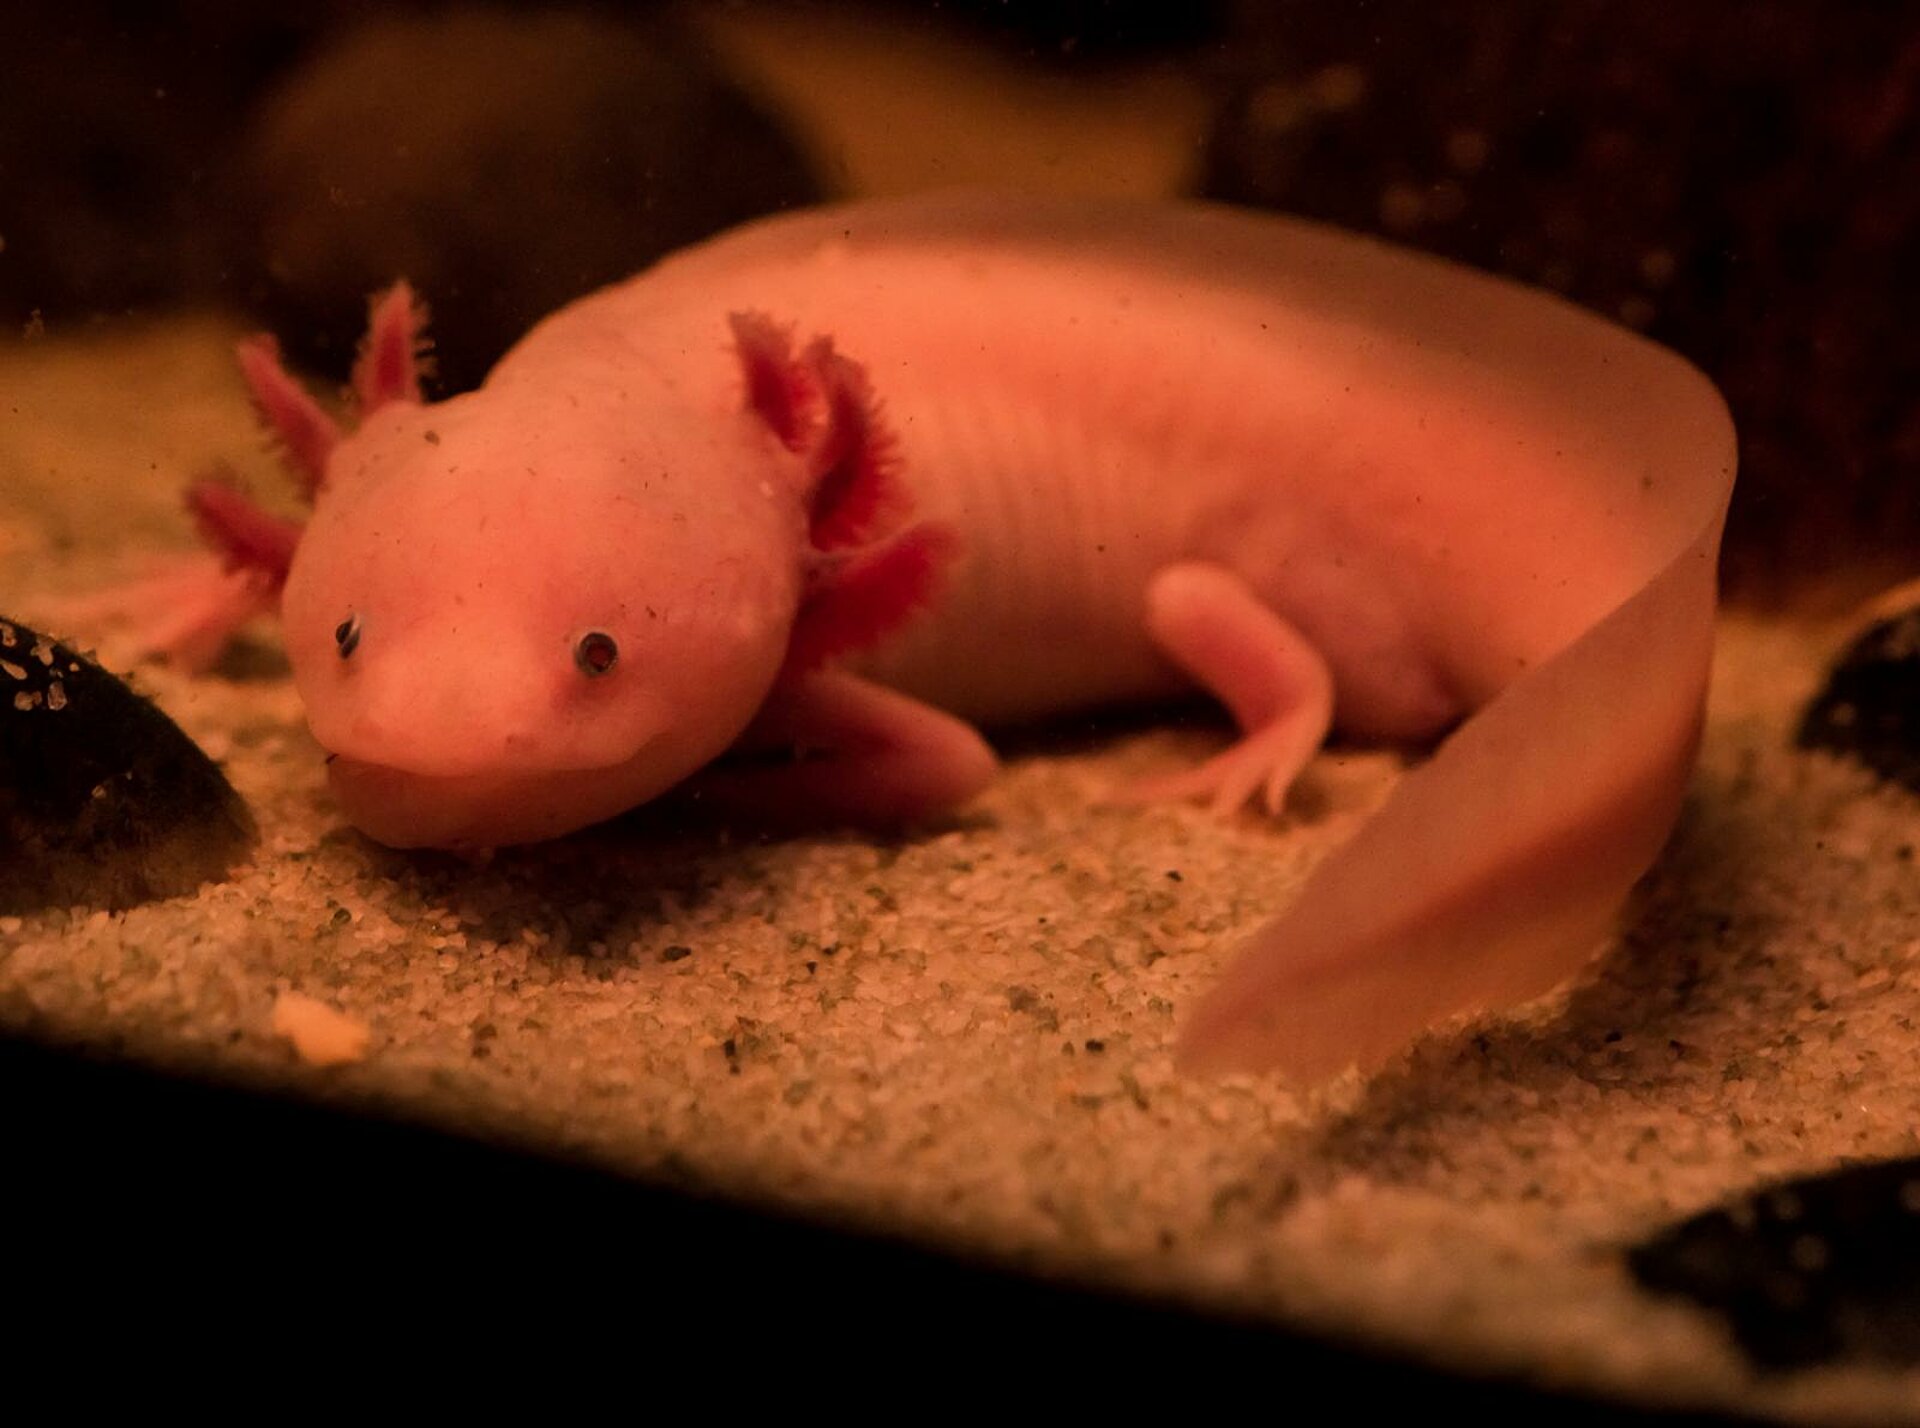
{"x": 1871, "y": 703}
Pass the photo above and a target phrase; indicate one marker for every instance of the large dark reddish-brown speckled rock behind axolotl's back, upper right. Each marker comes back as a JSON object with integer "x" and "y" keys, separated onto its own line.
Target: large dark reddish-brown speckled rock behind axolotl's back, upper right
{"x": 1739, "y": 178}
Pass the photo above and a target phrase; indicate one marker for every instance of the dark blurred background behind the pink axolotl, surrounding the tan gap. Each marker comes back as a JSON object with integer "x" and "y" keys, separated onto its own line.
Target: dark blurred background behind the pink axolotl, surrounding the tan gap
{"x": 1735, "y": 178}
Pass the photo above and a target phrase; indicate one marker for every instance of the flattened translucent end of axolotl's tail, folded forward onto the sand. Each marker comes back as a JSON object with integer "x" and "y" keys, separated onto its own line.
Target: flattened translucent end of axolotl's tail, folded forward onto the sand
{"x": 1495, "y": 870}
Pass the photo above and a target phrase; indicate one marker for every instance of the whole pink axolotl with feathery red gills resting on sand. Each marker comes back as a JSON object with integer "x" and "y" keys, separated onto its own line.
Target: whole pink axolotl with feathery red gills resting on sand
{"x": 846, "y": 485}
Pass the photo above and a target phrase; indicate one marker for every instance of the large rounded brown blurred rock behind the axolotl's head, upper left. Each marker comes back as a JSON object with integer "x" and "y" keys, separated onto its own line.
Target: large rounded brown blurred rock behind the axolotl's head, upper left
{"x": 502, "y": 162}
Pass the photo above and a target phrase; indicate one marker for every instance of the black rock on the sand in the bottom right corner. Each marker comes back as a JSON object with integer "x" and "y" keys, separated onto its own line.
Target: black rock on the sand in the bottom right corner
{"x": 1808, "y": 1272}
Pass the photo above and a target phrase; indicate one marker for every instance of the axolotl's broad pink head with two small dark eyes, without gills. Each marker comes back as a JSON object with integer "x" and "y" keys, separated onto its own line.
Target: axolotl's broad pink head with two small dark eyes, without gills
{"x": 504, "y": 632}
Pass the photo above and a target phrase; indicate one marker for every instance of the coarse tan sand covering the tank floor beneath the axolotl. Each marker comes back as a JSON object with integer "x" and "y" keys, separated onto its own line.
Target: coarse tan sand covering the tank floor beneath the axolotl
{"x": 969, "y": 1034}
